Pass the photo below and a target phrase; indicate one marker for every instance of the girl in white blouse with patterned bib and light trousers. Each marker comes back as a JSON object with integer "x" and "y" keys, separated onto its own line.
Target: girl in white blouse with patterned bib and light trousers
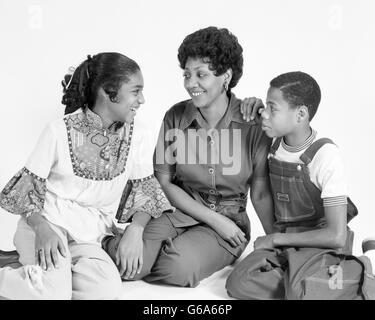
{"x": 69, "y": 190}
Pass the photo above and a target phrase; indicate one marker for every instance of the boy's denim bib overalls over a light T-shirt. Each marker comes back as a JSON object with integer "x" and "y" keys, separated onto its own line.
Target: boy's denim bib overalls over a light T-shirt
{"x": 301, "y": 273}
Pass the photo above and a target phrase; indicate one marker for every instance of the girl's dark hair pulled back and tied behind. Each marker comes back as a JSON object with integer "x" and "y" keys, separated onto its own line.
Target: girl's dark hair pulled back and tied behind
{"x": 107, "y": 70}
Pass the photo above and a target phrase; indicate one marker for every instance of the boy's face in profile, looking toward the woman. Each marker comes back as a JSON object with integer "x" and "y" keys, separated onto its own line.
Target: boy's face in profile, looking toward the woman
{"x": 278, "y": 119}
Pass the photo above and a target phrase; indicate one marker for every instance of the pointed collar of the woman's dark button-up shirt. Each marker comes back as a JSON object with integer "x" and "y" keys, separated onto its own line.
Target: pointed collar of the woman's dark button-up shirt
{"x": 232, "y": 113}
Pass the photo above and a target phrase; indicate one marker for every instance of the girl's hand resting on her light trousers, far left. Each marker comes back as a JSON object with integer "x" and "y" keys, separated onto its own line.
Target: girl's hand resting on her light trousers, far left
{"x": 47, "y": 246}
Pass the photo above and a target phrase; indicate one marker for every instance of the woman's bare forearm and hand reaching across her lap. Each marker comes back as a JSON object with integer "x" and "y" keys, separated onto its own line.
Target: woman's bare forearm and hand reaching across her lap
{"x": 225, "y": 227}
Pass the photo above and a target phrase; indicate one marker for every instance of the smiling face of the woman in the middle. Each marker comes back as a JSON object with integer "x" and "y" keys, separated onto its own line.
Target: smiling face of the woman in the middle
{"x": 203, "y": 86}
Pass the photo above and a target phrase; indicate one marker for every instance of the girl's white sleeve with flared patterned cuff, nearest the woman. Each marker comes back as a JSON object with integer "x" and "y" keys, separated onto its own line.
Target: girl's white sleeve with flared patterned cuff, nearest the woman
{"x": 143, "y": 192}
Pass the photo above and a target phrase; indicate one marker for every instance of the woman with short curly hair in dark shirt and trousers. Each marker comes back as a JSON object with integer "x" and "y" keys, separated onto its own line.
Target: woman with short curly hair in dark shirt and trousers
{"x": 206, "y": 159}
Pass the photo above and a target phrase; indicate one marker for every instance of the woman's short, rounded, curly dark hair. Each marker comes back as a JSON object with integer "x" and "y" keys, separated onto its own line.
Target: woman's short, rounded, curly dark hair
{"x": 219, "y": 47}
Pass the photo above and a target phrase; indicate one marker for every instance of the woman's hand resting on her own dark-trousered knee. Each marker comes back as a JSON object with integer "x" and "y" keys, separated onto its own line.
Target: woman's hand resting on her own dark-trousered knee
{"x": 228, "y": 230}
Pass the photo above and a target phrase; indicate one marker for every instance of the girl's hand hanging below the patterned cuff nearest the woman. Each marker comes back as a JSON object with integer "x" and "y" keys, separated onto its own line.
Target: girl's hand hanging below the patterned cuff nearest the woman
{"x": 129, "y": 254}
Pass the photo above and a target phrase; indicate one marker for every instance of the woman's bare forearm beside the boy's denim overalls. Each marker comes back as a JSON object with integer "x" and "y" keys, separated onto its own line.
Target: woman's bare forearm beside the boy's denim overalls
{"x": 261, "y": 198}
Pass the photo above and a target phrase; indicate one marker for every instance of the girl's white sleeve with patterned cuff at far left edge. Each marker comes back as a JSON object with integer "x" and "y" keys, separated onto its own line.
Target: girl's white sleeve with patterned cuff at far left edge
{"x": 25, "y": 192}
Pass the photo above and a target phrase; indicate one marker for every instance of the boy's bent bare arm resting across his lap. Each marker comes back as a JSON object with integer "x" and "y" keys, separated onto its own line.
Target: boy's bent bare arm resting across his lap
{"x": 332, "y": 236}
